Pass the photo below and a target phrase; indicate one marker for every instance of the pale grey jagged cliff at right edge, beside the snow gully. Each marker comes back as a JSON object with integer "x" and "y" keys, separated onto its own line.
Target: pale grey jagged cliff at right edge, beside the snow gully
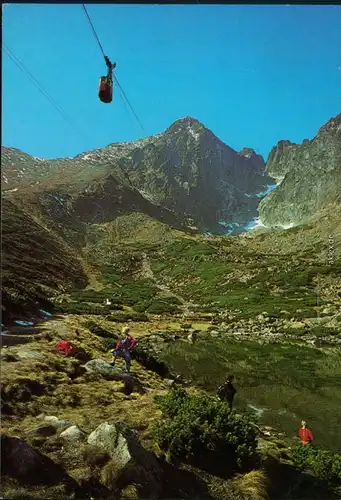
{"x": 309, "y": 176}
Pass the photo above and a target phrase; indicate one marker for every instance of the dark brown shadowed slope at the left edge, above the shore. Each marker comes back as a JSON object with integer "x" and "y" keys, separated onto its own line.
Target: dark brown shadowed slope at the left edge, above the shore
{"x": 36, "y": 263}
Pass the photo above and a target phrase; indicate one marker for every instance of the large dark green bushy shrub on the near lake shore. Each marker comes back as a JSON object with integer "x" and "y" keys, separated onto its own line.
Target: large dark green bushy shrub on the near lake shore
{"x": 203, "y": 431}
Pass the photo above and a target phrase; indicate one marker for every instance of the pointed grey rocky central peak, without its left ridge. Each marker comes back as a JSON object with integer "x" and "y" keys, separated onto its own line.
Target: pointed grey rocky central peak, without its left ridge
{"x": 189, "y": 170}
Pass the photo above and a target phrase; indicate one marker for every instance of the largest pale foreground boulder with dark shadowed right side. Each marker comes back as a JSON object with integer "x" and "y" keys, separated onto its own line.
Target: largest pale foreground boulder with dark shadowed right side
{"x": 132, "y": 463}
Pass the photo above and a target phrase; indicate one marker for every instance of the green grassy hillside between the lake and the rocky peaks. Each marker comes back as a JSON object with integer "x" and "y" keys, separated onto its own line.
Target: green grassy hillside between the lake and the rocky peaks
{"x": 240, "y": 275}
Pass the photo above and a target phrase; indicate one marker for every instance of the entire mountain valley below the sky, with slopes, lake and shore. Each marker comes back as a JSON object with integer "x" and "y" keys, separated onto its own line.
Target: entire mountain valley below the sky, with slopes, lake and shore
{"x": 157, "y": 234}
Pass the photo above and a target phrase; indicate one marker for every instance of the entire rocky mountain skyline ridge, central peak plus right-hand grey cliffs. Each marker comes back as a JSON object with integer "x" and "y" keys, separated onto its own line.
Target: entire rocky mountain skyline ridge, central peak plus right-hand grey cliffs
{"x": 189, "y": 172}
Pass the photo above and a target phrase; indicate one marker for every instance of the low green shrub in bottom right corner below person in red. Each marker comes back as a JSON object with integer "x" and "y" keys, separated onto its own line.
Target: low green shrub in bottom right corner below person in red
{"x": 323, "y": 463}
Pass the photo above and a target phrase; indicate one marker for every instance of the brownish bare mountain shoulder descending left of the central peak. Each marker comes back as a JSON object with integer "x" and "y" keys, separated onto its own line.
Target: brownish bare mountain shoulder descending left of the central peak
{"x": 70, "y": 195}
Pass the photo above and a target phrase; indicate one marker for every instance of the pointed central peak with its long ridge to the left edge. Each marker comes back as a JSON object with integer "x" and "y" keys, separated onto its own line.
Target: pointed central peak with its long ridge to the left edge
{"x": 186, "y": 170}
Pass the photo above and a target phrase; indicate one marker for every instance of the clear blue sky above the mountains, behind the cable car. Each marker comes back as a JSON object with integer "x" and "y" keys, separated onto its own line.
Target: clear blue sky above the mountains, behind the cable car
{"x": 252, "y": 74}
